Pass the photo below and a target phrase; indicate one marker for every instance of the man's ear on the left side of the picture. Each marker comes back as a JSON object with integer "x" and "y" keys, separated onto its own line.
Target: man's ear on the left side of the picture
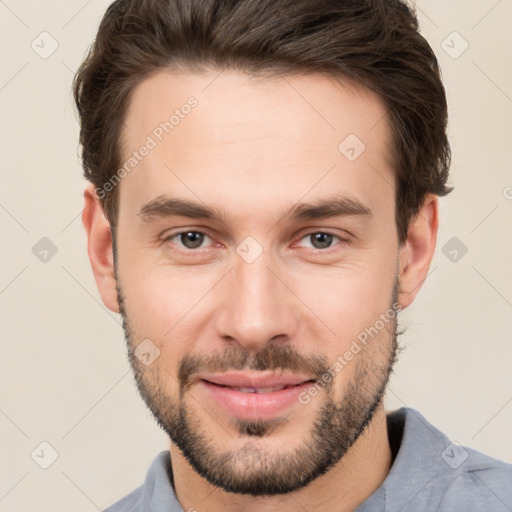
{"x": 99, "y": 248}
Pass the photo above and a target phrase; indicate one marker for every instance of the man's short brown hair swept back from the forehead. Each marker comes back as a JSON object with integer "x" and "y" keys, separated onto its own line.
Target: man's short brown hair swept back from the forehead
{"x": 374, "y": 42}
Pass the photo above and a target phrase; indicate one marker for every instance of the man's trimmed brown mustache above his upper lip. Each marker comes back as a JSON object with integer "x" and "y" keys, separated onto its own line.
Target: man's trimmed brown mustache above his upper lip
{"x": 272, "y": 357}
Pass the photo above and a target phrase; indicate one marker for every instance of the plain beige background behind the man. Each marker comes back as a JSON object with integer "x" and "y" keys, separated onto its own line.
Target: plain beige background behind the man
{"x": 64, "y": 374}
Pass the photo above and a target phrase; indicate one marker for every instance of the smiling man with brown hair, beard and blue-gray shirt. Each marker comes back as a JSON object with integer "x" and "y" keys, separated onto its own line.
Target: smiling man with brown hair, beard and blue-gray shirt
{"x": 263, "y": 202}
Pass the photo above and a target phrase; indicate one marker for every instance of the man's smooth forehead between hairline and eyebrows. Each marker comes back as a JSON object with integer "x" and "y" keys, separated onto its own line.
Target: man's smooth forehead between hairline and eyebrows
{"x": 217, "y": 132}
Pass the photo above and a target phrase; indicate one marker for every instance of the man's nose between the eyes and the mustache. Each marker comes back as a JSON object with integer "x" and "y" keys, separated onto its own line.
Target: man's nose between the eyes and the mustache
{"x": 256, "y": 307}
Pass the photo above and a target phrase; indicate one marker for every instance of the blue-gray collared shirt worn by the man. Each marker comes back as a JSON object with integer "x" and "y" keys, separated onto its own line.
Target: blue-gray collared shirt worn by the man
{"x": 429, "y": 473}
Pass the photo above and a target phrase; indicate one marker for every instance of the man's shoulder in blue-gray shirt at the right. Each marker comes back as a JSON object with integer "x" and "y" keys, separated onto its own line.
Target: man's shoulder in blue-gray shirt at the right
{"x": 430, "y": 472}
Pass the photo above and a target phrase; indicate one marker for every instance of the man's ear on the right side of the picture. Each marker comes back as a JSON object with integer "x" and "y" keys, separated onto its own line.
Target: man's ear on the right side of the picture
{"x": 417, "y": 251}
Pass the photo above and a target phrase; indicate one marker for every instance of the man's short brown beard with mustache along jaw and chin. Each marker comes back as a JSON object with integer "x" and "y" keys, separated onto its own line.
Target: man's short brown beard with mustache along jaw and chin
{"x": 251, "y": 469}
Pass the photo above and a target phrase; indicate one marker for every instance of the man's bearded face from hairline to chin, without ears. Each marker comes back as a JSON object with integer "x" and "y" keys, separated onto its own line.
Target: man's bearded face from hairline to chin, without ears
{"x": 257, "y": 268}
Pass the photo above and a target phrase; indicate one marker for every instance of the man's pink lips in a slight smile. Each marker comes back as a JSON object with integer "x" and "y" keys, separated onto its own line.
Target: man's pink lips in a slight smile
{"x": 254, "y": 405}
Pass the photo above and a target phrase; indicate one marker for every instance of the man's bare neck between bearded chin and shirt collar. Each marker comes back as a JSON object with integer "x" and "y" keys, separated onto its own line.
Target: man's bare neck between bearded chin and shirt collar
{"x": 342, "y": 489}
